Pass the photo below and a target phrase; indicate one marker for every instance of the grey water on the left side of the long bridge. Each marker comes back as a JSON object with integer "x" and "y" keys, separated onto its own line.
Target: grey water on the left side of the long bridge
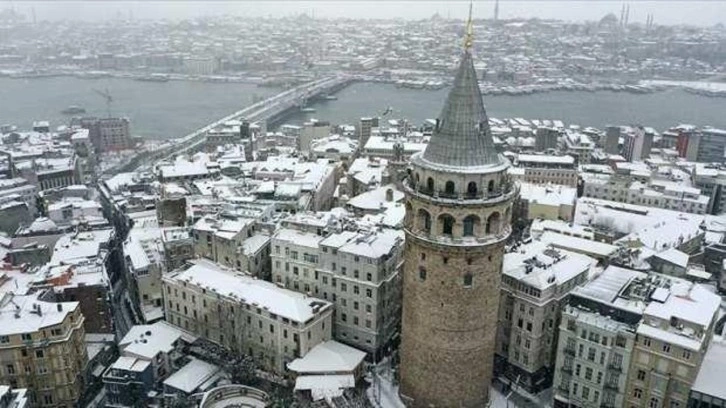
{"x": 157, "y": 110}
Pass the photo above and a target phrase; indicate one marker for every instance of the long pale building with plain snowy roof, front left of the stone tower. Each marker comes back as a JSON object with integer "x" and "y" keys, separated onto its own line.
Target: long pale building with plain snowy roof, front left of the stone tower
{"x": 244, "y": 314}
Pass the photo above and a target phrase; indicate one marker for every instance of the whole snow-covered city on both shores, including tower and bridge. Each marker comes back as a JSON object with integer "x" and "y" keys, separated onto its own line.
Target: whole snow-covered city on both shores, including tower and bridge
{"x": 465, "y": 261}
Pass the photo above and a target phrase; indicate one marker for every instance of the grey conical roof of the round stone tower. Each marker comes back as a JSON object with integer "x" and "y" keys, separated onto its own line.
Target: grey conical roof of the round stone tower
{"x": 462, "y": 137}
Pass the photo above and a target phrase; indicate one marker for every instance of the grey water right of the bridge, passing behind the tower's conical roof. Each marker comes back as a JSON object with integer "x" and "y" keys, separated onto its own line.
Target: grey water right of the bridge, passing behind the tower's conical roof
{"x": 659, "y": 110}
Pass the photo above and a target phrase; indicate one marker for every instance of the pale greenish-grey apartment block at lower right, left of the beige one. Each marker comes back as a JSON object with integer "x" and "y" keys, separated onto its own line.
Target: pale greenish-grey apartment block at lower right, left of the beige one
{"x": 596, "y": 339}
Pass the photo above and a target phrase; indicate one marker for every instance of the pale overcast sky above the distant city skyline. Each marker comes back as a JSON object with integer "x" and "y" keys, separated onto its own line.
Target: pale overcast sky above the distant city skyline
{"x": 665, "y": 12}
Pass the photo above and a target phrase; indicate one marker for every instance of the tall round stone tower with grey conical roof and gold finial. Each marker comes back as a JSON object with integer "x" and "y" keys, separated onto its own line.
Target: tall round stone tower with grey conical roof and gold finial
{"x": 458, "y": 207}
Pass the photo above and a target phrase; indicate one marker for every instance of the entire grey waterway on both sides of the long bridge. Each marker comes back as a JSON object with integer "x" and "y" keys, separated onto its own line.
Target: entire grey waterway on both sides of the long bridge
{"x": 176, "y": 108}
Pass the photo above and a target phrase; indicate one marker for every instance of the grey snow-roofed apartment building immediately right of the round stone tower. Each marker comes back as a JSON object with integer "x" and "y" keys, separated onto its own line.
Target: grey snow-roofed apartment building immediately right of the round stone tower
{"x": 536, "y": 282}
